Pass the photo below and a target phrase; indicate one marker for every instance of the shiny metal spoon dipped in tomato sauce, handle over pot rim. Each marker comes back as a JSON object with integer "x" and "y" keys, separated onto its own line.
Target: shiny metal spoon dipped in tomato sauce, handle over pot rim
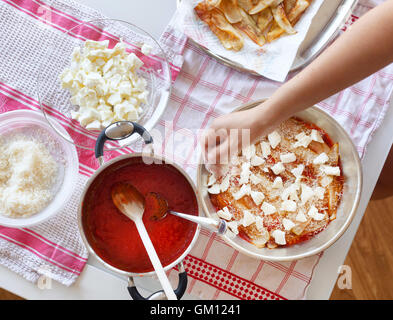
{"x": 218, "y": 226}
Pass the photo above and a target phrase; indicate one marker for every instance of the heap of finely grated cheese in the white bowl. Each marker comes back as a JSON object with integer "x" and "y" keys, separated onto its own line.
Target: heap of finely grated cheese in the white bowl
{"x": 27, "y": 175}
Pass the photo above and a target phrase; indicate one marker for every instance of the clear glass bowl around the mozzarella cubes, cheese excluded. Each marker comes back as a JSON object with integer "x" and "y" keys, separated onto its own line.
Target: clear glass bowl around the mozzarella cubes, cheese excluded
{"x": 55, "y": 101}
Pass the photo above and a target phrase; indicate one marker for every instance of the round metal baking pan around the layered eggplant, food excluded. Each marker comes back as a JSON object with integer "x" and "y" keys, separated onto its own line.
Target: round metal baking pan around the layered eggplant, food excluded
{"x": 352, "y": 170}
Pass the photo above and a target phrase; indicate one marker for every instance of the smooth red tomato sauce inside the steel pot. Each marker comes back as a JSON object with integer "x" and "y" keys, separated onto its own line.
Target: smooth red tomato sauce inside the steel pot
{"x": 114, "y": 237}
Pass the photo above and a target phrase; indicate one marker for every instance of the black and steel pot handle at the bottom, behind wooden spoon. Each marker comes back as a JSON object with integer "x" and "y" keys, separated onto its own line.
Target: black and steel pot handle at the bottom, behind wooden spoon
{"x": 160, "y": 295}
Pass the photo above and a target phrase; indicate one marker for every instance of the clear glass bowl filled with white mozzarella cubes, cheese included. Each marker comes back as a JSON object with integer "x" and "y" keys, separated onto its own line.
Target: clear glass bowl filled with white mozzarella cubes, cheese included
{"x": 109, "y": 68}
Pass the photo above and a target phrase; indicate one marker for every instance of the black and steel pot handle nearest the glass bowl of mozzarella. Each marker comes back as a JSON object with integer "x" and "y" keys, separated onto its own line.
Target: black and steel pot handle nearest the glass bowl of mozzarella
{"x": 118, "y": 131}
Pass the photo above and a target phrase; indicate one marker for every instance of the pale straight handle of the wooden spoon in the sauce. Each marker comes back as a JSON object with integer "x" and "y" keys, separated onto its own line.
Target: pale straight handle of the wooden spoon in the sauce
{"x": 155, "y": 260}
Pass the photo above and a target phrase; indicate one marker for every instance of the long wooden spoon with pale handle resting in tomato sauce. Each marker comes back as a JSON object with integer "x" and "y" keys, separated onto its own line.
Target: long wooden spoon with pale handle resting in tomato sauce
{"x": 131, "y": 203}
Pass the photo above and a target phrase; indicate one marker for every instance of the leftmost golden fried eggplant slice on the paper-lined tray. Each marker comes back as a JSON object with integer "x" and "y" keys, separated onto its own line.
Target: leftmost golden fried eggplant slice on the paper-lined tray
{"x": 229, "y": 37}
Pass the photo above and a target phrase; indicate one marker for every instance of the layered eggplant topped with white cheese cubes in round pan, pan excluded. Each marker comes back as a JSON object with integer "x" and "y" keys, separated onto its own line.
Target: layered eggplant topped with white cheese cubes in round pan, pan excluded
{"x": 282, "y": 190}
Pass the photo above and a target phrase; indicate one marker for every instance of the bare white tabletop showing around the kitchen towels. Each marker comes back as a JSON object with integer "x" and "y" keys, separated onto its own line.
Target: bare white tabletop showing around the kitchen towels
{"x": 95, "y": 283}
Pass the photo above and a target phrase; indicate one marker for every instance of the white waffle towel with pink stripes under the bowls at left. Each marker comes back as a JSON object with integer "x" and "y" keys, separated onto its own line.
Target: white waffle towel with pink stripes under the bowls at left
{"x": 53, "y": 248}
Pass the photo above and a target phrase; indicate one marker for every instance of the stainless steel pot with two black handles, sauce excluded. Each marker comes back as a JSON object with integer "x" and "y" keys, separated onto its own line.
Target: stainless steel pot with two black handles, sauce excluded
{"x": 119, "y": 131}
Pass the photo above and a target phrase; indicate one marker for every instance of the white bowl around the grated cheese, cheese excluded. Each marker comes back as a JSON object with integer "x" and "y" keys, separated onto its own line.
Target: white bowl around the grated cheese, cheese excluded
{"x": 25, "y": 121}
